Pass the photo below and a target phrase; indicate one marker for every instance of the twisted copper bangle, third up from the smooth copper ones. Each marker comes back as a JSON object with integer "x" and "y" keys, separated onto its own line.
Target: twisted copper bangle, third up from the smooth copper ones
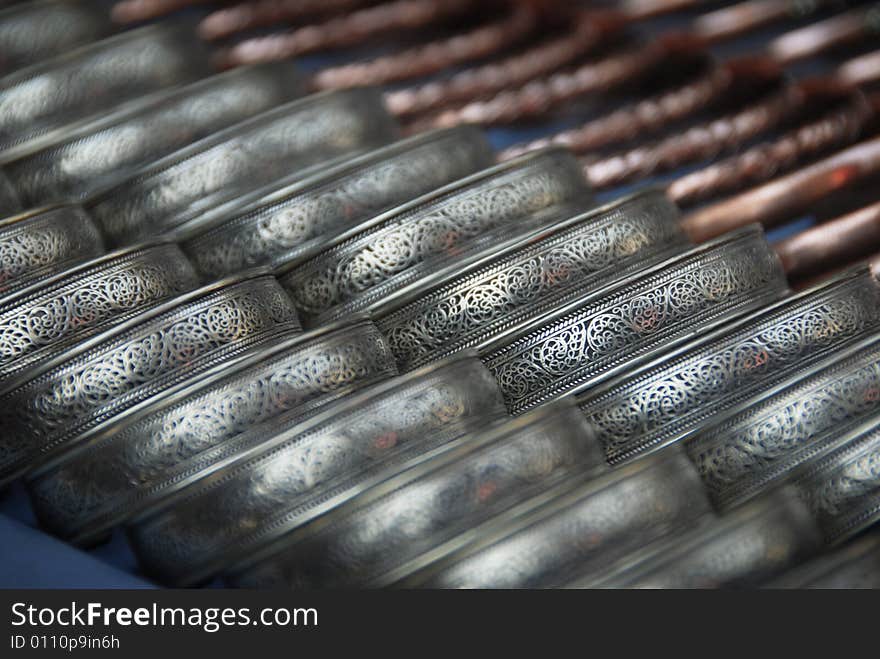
{"x": 638, "y": 119}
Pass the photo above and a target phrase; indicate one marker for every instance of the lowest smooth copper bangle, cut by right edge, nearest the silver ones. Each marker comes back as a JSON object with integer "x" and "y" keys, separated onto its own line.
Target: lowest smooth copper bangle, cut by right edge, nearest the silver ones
{"x": 832, "y": 243}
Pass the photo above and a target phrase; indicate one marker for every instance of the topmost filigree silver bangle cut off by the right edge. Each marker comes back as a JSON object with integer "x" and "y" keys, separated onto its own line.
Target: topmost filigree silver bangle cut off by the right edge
{"x": 671, "y": 397}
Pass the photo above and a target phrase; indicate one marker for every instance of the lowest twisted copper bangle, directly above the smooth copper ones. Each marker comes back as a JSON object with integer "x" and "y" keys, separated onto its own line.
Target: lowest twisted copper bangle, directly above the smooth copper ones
{"x": 836, "y": 128}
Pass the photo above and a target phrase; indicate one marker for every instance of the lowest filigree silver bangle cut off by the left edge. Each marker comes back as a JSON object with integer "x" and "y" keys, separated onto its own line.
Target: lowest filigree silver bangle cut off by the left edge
{"x": 112, "y": 371}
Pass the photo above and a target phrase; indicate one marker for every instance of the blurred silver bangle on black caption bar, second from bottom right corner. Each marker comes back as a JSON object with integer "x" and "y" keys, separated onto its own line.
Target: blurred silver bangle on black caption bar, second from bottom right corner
{"x": 740, "y": 550}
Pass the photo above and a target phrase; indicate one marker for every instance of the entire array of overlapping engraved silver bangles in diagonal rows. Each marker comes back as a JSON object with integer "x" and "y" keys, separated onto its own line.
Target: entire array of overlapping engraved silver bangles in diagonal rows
{"x": 277, "y": 343}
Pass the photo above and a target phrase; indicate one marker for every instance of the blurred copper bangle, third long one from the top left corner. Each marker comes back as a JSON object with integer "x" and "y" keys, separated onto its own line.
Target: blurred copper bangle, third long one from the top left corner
{"x": 432, "y": 57}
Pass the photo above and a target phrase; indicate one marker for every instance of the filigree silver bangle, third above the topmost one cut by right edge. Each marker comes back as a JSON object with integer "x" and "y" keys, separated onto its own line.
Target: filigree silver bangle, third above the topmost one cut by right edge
{"x": 391, "y": 250}
